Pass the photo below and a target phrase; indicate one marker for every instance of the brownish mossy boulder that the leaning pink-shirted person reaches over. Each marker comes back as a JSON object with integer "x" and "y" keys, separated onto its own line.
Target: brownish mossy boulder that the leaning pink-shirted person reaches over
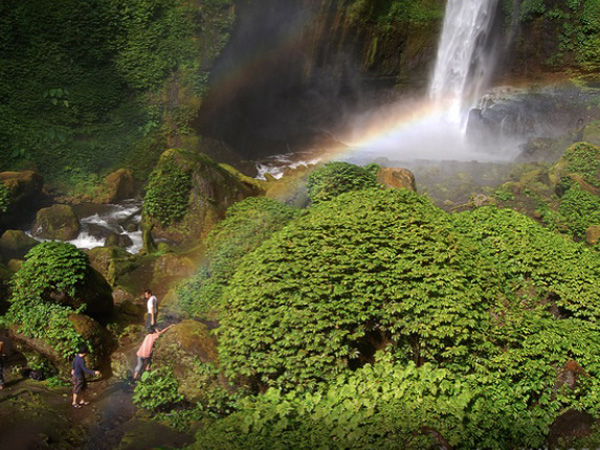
{"x": 185, "y": 348}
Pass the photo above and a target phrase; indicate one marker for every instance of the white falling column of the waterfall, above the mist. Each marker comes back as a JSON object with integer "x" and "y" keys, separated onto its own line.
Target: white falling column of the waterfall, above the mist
{"x": 466, "y": 55}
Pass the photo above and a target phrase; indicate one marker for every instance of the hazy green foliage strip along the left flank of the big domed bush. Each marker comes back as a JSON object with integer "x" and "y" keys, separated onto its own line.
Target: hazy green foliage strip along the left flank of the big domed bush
{"x": 247, "y": 225}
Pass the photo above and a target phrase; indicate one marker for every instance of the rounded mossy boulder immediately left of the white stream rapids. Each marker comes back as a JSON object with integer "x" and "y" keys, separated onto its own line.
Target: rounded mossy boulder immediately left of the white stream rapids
{"x": 56, "y": 222}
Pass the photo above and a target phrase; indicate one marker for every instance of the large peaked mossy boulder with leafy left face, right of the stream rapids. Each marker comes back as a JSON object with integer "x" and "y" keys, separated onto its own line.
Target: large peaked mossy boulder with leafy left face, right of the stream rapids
{"x": 188, "y": 193}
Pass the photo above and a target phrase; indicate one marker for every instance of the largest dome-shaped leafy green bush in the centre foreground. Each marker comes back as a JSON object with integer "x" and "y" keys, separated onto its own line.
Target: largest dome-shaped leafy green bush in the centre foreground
{"x": 366, "y": 269}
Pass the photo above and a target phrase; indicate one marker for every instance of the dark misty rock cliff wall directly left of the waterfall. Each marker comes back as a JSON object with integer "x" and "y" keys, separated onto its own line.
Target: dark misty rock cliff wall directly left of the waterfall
{"x": 294, "y": 70}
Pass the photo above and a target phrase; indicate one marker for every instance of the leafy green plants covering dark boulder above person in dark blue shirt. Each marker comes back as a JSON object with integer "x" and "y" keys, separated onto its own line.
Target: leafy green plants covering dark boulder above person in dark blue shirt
{"x": 51, "y": 270}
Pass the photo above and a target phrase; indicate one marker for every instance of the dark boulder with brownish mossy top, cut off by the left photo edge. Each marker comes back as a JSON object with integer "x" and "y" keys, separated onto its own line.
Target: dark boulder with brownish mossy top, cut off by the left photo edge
{"x": 20, "y": 193}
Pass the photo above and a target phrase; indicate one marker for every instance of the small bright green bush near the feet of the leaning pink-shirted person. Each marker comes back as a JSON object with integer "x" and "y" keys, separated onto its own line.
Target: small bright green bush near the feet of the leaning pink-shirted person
{"x": 157, "y": 391}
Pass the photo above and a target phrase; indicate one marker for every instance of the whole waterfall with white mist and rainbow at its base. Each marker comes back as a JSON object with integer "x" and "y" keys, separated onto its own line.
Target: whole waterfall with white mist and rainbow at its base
{"x": 433, "y": 128}
